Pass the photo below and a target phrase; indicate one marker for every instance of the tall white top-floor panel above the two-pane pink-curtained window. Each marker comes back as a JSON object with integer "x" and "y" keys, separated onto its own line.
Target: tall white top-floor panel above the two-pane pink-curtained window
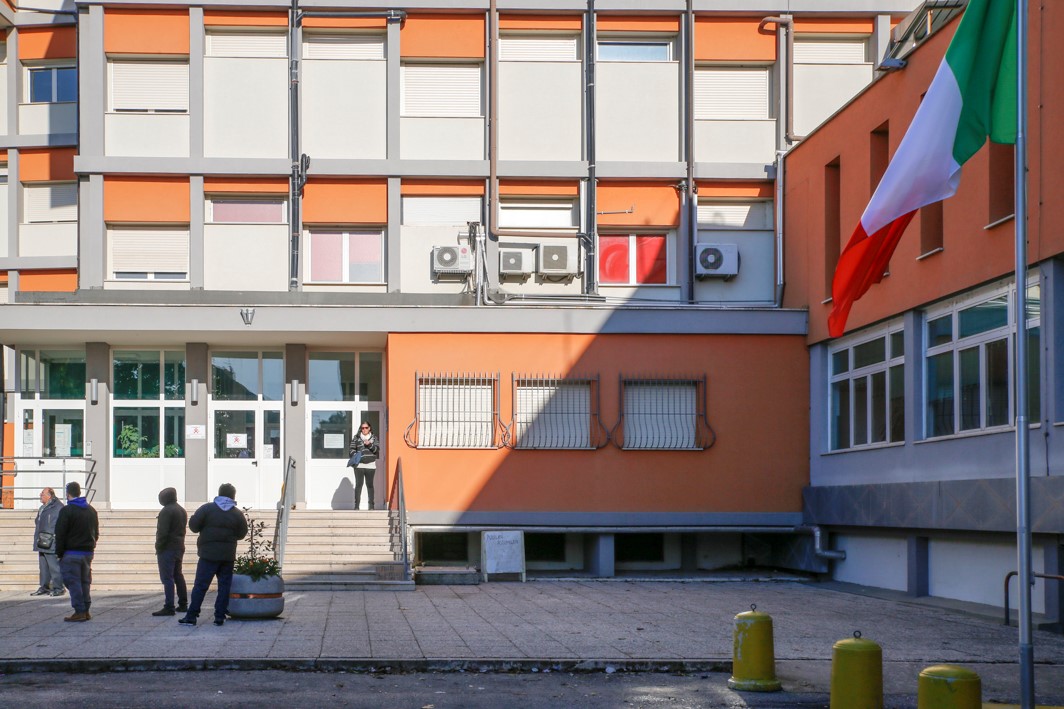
{"x": 345, "y": 109}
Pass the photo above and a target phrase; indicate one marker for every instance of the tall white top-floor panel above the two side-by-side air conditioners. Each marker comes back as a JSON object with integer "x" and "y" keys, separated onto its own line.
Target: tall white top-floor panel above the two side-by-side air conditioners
{"x": 540, "y": 111}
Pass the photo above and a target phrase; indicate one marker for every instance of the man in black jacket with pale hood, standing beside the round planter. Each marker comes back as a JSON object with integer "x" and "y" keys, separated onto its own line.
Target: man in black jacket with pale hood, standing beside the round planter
{"x": 221, "y": 525}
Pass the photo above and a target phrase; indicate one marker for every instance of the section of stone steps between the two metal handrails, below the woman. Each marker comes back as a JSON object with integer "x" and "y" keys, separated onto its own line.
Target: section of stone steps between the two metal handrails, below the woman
{"x": 344, "y": 550}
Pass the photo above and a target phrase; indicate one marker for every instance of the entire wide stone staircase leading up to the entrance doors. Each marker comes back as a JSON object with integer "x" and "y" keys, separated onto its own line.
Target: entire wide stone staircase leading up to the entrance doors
{"x": 326, "y": 551}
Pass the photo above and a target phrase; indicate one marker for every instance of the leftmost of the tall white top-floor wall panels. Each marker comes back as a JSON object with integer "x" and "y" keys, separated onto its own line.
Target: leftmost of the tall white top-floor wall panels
{"x": 245, "y": 108}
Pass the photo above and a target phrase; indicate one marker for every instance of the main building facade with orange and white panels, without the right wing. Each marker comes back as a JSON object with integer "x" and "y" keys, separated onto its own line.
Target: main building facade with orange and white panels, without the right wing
{"x": 536, "y": 246}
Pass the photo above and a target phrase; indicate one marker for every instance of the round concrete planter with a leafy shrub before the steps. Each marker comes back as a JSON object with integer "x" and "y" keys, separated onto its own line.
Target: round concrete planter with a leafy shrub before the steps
{"x": 258, "y": 589}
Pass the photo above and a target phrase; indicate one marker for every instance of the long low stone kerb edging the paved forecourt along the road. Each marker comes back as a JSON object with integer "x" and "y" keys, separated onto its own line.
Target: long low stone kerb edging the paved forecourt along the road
{"x": 374, "y": 666}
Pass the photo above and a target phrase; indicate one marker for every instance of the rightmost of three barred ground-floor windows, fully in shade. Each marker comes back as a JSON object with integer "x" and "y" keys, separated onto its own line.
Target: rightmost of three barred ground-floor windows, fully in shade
{"x": 663, "y": 415}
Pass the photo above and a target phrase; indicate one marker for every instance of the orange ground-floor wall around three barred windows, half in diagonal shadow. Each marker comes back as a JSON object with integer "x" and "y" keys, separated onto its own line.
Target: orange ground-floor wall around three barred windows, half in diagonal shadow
{"x": 757, "y": 466}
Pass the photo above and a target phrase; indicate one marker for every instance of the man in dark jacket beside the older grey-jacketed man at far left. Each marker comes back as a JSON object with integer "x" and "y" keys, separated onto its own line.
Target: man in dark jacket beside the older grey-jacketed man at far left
{"x": 77, "y": 531}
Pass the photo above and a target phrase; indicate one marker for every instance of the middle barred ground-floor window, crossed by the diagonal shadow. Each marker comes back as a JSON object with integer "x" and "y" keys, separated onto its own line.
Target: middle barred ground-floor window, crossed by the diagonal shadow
{"x": 555, "y": 414}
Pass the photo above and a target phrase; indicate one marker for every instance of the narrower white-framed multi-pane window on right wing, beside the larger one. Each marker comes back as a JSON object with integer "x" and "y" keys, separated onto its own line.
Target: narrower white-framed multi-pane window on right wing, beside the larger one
{"x": 868, "y": 387}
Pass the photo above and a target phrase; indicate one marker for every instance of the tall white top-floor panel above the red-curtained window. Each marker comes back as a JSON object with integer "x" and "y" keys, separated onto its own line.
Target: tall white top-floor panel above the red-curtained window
{"x": 638, "y": 112}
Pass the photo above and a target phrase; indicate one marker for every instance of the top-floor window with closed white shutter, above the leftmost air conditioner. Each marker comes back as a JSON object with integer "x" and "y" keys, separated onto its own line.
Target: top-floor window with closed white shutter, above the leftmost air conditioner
{"x": 451, "y": 91}
